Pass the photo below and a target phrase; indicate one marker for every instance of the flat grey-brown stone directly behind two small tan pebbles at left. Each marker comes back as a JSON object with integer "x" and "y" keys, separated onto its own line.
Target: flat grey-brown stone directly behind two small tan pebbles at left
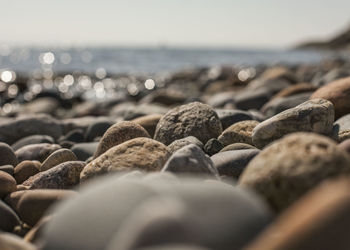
{"x": 36, "y": 152}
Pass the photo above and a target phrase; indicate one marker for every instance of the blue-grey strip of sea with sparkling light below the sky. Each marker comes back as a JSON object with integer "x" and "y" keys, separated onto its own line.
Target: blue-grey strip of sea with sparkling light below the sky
{"x": 117, "y": 60}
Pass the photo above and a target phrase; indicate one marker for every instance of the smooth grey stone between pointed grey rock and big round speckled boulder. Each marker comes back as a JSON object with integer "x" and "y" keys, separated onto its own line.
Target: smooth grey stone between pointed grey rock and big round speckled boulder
{"x": 232, "y": 163}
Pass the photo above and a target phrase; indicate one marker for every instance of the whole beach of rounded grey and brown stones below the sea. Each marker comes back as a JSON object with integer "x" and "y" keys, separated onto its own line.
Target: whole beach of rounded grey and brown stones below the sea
{"x": 212, "y": 158}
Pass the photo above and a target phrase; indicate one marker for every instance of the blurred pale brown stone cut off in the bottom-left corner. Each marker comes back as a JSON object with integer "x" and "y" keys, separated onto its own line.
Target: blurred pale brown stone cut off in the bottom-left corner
{"x": 12, "y": 242}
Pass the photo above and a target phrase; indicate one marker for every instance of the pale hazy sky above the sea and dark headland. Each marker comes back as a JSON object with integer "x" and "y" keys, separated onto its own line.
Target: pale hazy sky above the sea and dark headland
{"x": 227, "y": 23}
